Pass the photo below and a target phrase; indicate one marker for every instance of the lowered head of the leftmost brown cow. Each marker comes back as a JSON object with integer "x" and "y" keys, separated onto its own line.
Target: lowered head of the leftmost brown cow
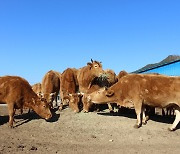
{"x": 41, "y": 107}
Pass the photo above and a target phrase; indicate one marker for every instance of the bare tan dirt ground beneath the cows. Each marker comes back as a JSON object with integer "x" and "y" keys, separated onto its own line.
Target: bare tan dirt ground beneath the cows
{"x": 91, "y": 133}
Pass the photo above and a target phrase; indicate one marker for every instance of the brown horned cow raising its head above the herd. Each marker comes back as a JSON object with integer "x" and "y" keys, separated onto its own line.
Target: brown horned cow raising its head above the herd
{"x": 85, "y": 76}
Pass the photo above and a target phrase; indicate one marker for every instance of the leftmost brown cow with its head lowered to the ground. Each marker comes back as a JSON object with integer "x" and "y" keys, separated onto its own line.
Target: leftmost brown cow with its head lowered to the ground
{"x": 17, "y": 93}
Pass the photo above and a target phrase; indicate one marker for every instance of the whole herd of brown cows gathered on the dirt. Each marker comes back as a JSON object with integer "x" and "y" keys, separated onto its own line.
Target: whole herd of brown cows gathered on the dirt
{"x": 83, "y": 89}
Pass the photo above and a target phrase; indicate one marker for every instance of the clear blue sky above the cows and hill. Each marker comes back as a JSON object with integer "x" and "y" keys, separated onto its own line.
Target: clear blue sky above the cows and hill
{"x": 39, "y": 35}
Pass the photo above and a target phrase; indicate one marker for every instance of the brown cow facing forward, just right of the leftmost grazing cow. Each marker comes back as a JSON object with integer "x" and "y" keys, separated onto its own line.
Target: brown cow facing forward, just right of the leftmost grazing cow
{"x": 51, "y": 86}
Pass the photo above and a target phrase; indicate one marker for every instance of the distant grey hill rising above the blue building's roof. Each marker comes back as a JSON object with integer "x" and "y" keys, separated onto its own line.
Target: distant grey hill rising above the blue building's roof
{"x": 169, "y": 59}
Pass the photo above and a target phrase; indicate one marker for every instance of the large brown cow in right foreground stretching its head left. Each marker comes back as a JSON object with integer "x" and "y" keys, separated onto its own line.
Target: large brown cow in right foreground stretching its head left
{"x": 138, "y": 90}
